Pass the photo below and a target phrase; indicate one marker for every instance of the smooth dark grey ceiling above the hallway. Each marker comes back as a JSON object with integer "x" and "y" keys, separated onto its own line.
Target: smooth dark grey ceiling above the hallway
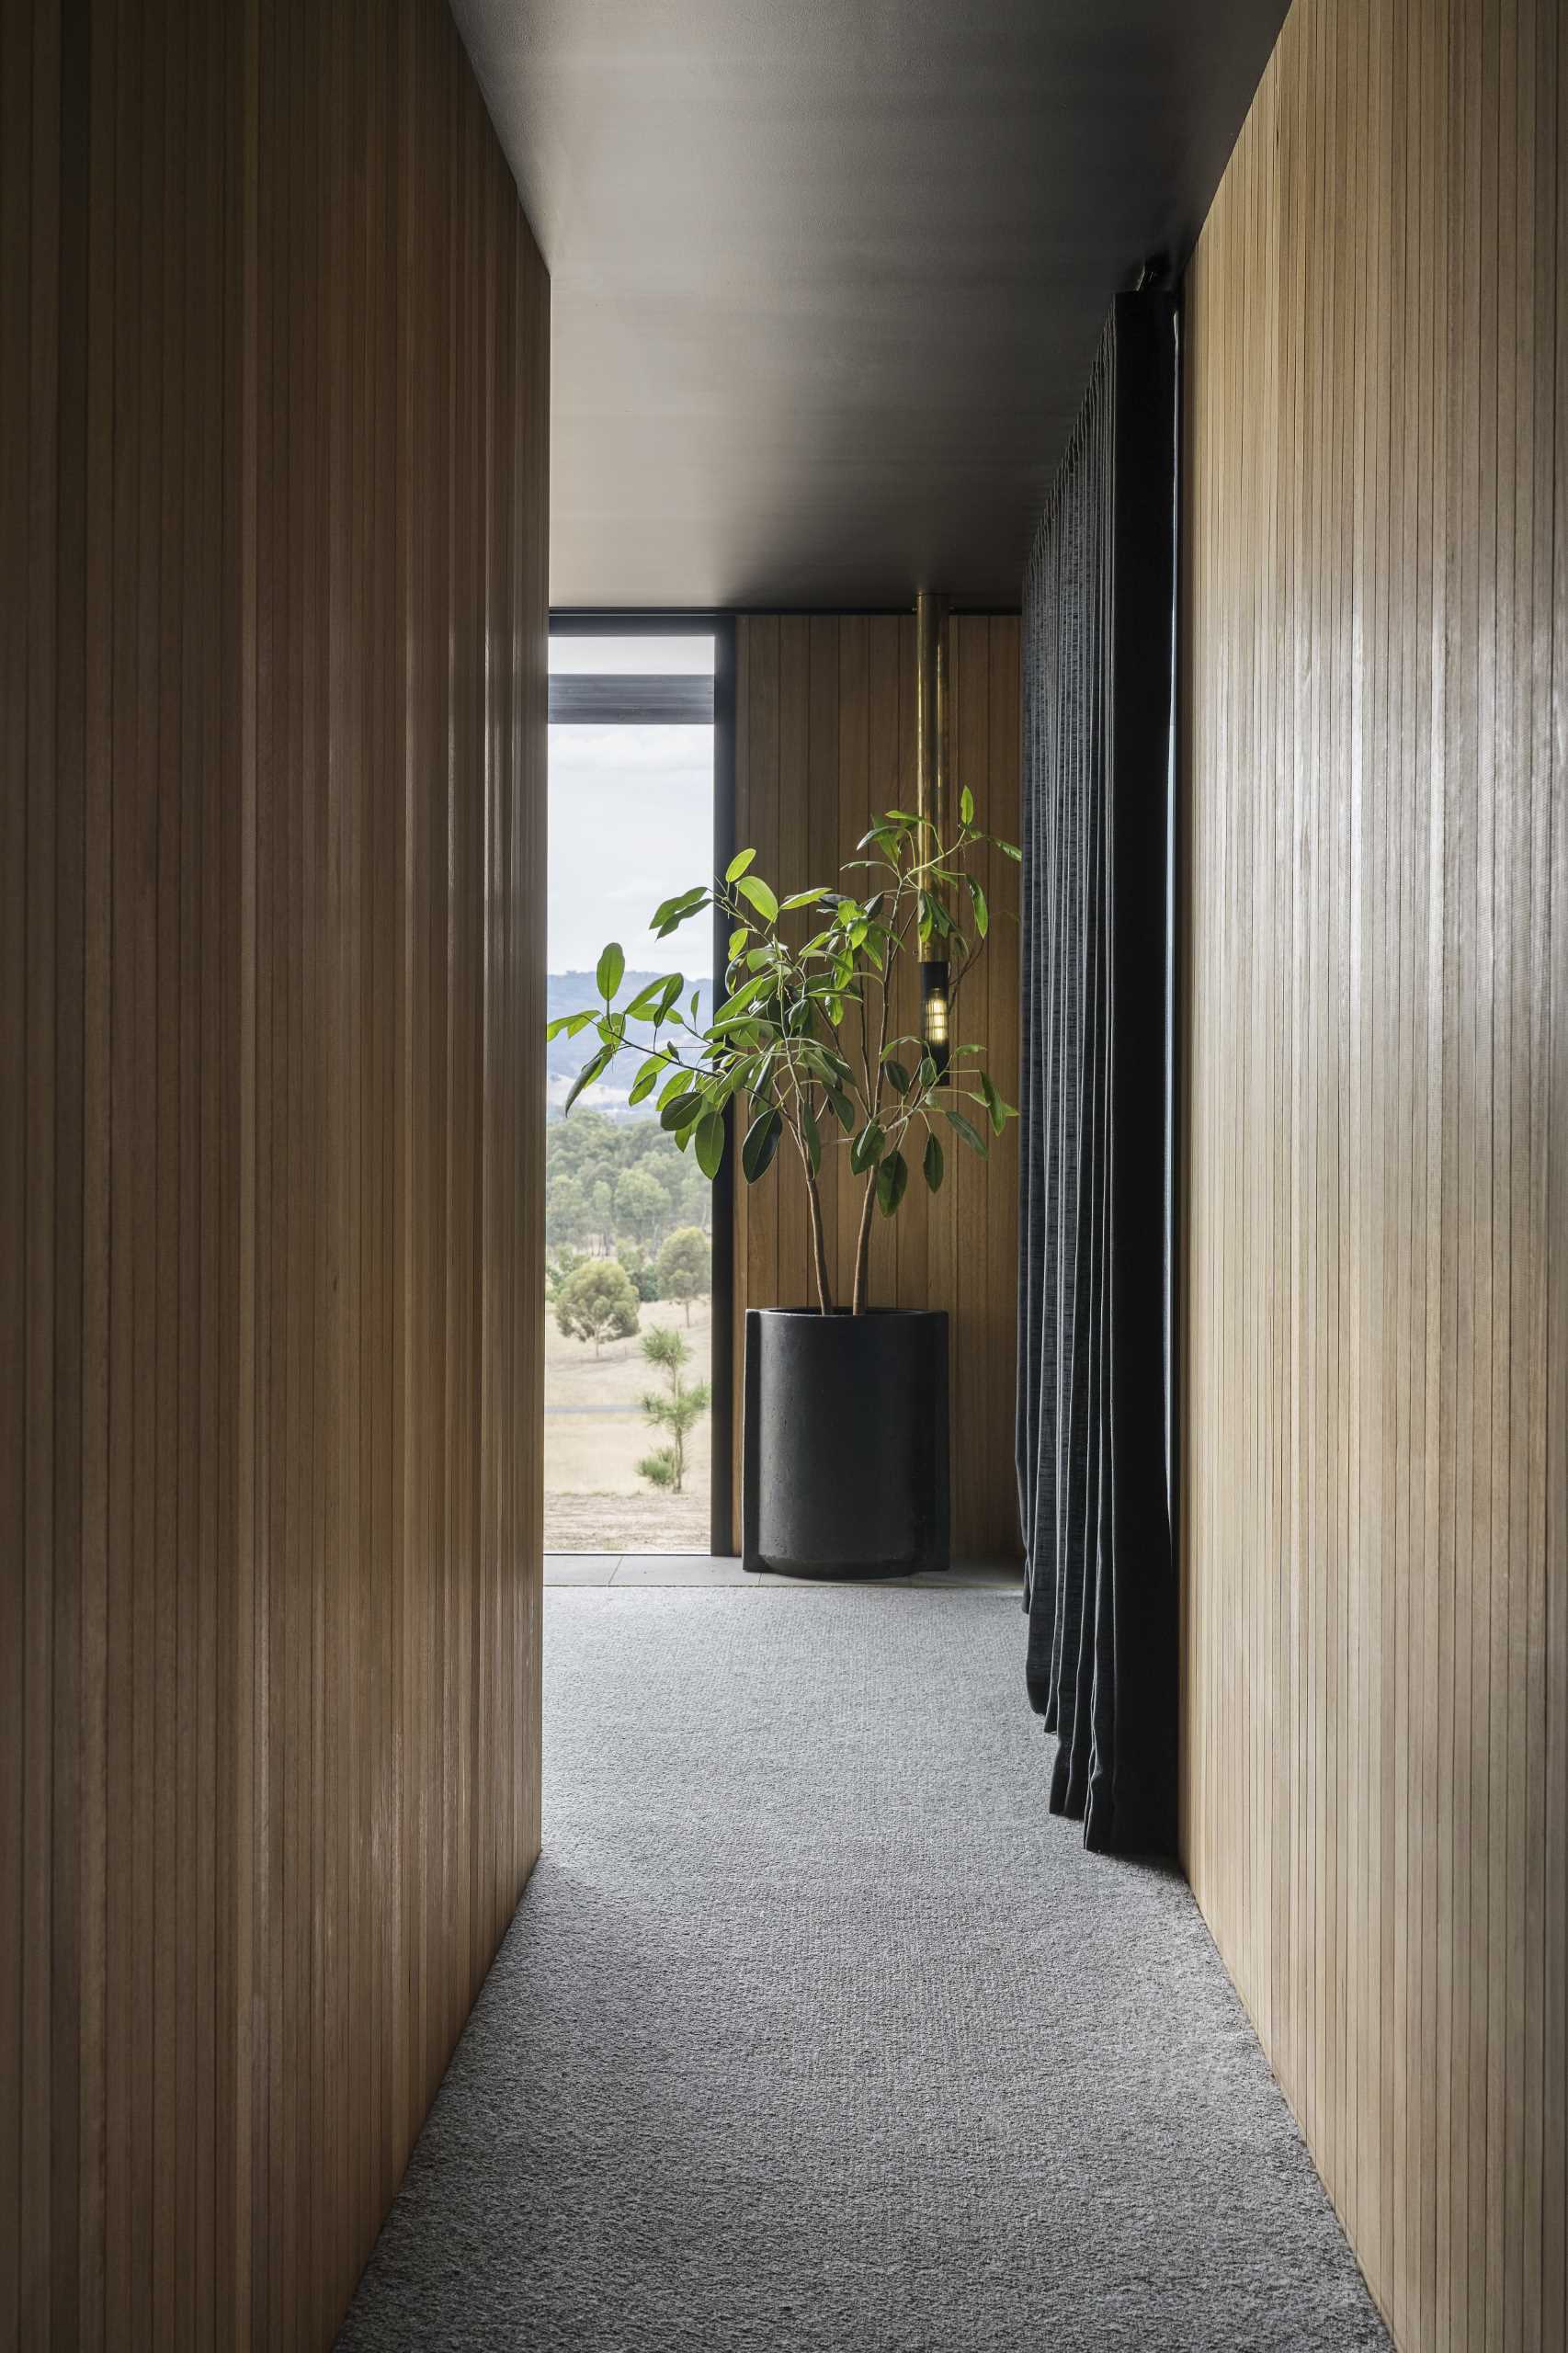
{"x": 828, "y": 274}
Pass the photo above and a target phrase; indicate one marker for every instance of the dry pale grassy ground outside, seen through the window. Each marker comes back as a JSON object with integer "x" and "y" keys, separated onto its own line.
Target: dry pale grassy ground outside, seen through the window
{"x": 594, "y": 1437}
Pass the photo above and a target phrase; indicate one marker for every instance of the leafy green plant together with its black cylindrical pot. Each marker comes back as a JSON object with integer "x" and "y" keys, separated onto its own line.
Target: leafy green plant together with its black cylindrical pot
{"x": 846, "y": 1406}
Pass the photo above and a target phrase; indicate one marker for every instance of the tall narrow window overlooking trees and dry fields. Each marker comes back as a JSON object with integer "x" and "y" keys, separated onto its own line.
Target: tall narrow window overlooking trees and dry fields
{"x": 627, "y": 1215}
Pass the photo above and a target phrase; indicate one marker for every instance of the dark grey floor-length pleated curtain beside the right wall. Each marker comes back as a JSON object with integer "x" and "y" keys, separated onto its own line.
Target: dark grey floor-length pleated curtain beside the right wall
{"x": 1094, "y": 1411}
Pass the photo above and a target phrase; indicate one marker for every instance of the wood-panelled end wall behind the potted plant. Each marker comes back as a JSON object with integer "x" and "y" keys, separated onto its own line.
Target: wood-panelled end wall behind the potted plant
{"x": 823, "y": 740}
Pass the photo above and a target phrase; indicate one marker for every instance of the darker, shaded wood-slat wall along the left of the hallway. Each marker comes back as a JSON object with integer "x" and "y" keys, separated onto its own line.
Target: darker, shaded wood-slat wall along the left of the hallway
{"x": 272, "y": 716}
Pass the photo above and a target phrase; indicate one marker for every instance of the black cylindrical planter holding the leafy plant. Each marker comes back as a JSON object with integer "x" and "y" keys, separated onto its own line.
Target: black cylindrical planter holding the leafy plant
{"x": 846, "y": 1444}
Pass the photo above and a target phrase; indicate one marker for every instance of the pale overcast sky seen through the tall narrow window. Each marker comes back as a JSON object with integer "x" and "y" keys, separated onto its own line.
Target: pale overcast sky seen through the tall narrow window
{"x": 632, "y": 820}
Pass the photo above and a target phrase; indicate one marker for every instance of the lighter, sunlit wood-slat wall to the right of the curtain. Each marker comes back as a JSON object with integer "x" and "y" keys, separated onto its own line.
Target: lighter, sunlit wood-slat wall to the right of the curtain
{"x": 1376, "y": 1467}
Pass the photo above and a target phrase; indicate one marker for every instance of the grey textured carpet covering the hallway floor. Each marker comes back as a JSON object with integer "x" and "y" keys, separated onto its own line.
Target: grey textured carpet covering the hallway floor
{"x": 816, "y": 2032}
